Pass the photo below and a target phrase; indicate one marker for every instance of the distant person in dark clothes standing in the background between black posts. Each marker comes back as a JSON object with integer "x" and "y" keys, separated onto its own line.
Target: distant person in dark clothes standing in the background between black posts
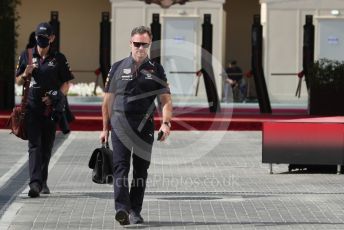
{"x": 234, "y": 82}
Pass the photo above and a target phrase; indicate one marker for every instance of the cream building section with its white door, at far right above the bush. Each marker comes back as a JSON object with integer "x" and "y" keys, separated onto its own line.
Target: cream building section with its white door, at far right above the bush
{"x": 283, "y": 22}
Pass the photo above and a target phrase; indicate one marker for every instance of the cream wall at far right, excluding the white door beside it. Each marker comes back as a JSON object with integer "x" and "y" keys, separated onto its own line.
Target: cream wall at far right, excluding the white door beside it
{"x": 283, "y": 22}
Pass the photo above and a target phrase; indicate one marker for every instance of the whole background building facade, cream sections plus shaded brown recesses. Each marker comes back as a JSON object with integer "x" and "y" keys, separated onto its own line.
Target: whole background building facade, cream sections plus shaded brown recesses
{"x": 181, "y": 34}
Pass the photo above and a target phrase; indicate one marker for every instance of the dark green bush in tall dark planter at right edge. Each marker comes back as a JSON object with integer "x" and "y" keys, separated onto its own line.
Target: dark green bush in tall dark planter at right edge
{"x": 326, "y": 91}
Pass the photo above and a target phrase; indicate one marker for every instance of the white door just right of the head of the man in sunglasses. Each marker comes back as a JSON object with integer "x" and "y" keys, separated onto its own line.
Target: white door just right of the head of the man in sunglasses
{"x": 180, "y": 53}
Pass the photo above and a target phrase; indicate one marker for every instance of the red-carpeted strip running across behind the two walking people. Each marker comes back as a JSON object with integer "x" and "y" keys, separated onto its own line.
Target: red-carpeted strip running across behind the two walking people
{"x": 88, "y": 118}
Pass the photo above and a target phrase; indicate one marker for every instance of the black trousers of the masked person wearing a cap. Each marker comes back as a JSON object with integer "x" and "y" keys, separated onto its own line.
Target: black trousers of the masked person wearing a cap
{"x": 41, "y": 136}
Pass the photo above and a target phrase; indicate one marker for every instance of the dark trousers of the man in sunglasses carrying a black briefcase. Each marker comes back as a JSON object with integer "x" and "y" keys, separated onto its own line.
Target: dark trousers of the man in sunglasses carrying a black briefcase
{"x": 130, "y": 143}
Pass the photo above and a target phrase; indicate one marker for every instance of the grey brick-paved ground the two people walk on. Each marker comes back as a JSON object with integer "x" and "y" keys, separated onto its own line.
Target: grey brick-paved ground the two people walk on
{"x": 198, "y": 180}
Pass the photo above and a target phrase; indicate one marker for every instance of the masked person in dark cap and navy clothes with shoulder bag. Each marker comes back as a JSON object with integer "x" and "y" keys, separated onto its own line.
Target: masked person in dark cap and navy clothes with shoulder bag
{"x": 50, "y": 76}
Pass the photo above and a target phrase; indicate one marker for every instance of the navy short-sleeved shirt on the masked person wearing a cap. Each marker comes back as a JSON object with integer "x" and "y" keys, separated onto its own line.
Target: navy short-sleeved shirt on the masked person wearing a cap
{"x": 51, "y": 73}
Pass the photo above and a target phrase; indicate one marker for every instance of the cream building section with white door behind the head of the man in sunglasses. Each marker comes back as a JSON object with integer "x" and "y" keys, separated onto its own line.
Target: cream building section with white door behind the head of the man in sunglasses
{"x": 181, "y": 38}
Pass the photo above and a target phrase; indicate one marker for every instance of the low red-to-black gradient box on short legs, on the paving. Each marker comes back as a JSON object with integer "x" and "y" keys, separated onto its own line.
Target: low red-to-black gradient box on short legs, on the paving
{"x": 310, "y": 141}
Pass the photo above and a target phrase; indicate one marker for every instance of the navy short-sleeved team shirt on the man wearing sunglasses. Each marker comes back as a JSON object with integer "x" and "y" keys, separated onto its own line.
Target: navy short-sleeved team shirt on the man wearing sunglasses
{"x": 135, "y": 88}
